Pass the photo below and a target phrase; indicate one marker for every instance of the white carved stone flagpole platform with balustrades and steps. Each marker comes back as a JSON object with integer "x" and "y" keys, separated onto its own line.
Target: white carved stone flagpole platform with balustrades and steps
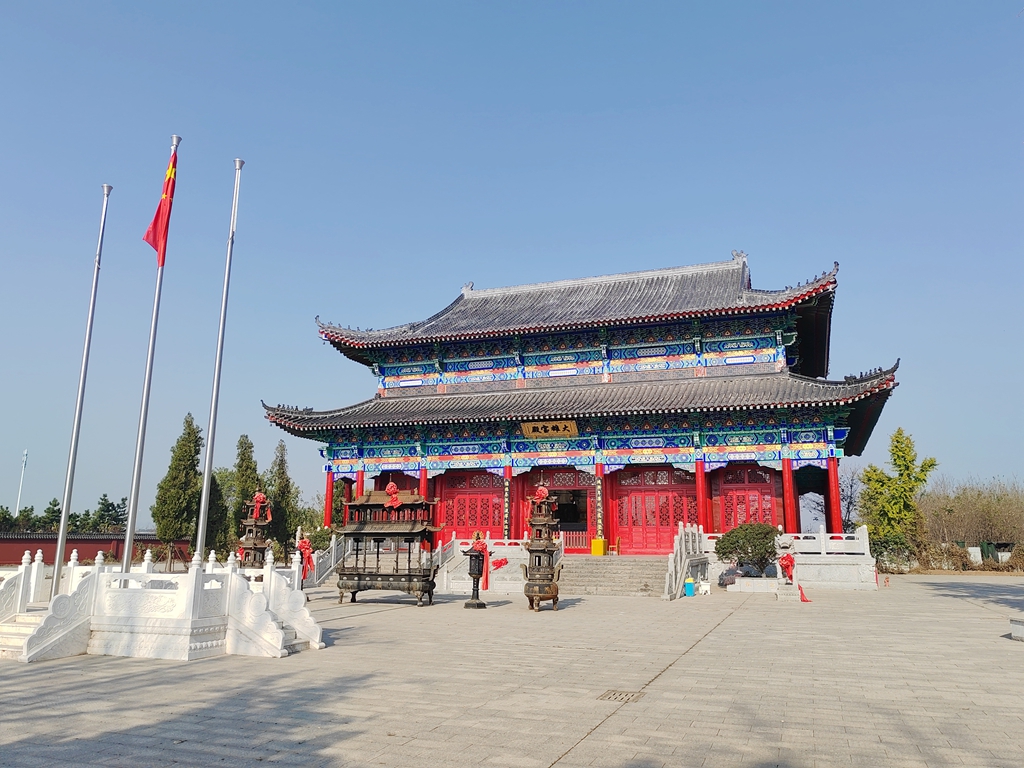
{"x": 210, "y": 611}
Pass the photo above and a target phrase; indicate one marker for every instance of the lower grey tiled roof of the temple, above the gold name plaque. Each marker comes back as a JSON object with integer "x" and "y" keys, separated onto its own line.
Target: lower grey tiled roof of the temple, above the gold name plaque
{"x": 658, "y": 396}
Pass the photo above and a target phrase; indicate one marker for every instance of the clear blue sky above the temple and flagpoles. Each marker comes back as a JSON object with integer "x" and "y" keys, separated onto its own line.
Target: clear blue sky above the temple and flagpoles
{"x": 397, "y": 151}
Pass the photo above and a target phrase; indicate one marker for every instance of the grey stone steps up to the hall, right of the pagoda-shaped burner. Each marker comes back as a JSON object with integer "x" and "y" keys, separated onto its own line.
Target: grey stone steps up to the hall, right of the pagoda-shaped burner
{"x": 633, "y": 577}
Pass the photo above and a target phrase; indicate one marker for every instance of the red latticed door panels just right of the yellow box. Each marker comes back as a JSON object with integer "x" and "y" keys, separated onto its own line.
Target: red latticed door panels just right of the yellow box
{"x": 650, "y": 504}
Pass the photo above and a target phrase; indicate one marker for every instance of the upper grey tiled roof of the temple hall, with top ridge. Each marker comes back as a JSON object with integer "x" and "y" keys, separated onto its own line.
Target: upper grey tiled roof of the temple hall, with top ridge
{"x": 720, "y": 288}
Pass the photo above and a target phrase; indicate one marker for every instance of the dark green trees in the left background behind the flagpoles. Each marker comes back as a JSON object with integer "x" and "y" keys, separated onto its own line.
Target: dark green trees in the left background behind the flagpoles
{"x": 176, "y": 510}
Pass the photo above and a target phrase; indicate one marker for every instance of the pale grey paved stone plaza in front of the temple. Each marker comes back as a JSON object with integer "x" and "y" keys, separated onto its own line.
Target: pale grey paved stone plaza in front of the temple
{"x": 921, "y": 674}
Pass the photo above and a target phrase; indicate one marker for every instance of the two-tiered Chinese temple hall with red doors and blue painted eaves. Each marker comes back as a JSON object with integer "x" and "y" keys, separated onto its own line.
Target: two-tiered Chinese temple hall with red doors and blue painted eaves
{"x": 639, "y": 401}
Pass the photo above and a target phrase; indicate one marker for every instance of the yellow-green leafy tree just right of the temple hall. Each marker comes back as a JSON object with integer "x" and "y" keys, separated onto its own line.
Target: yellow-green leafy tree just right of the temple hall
{"x": 888, "y": 503}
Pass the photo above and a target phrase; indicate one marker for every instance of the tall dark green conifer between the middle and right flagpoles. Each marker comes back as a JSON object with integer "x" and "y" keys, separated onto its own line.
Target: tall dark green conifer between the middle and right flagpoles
{"x": 179, "y": 495}
